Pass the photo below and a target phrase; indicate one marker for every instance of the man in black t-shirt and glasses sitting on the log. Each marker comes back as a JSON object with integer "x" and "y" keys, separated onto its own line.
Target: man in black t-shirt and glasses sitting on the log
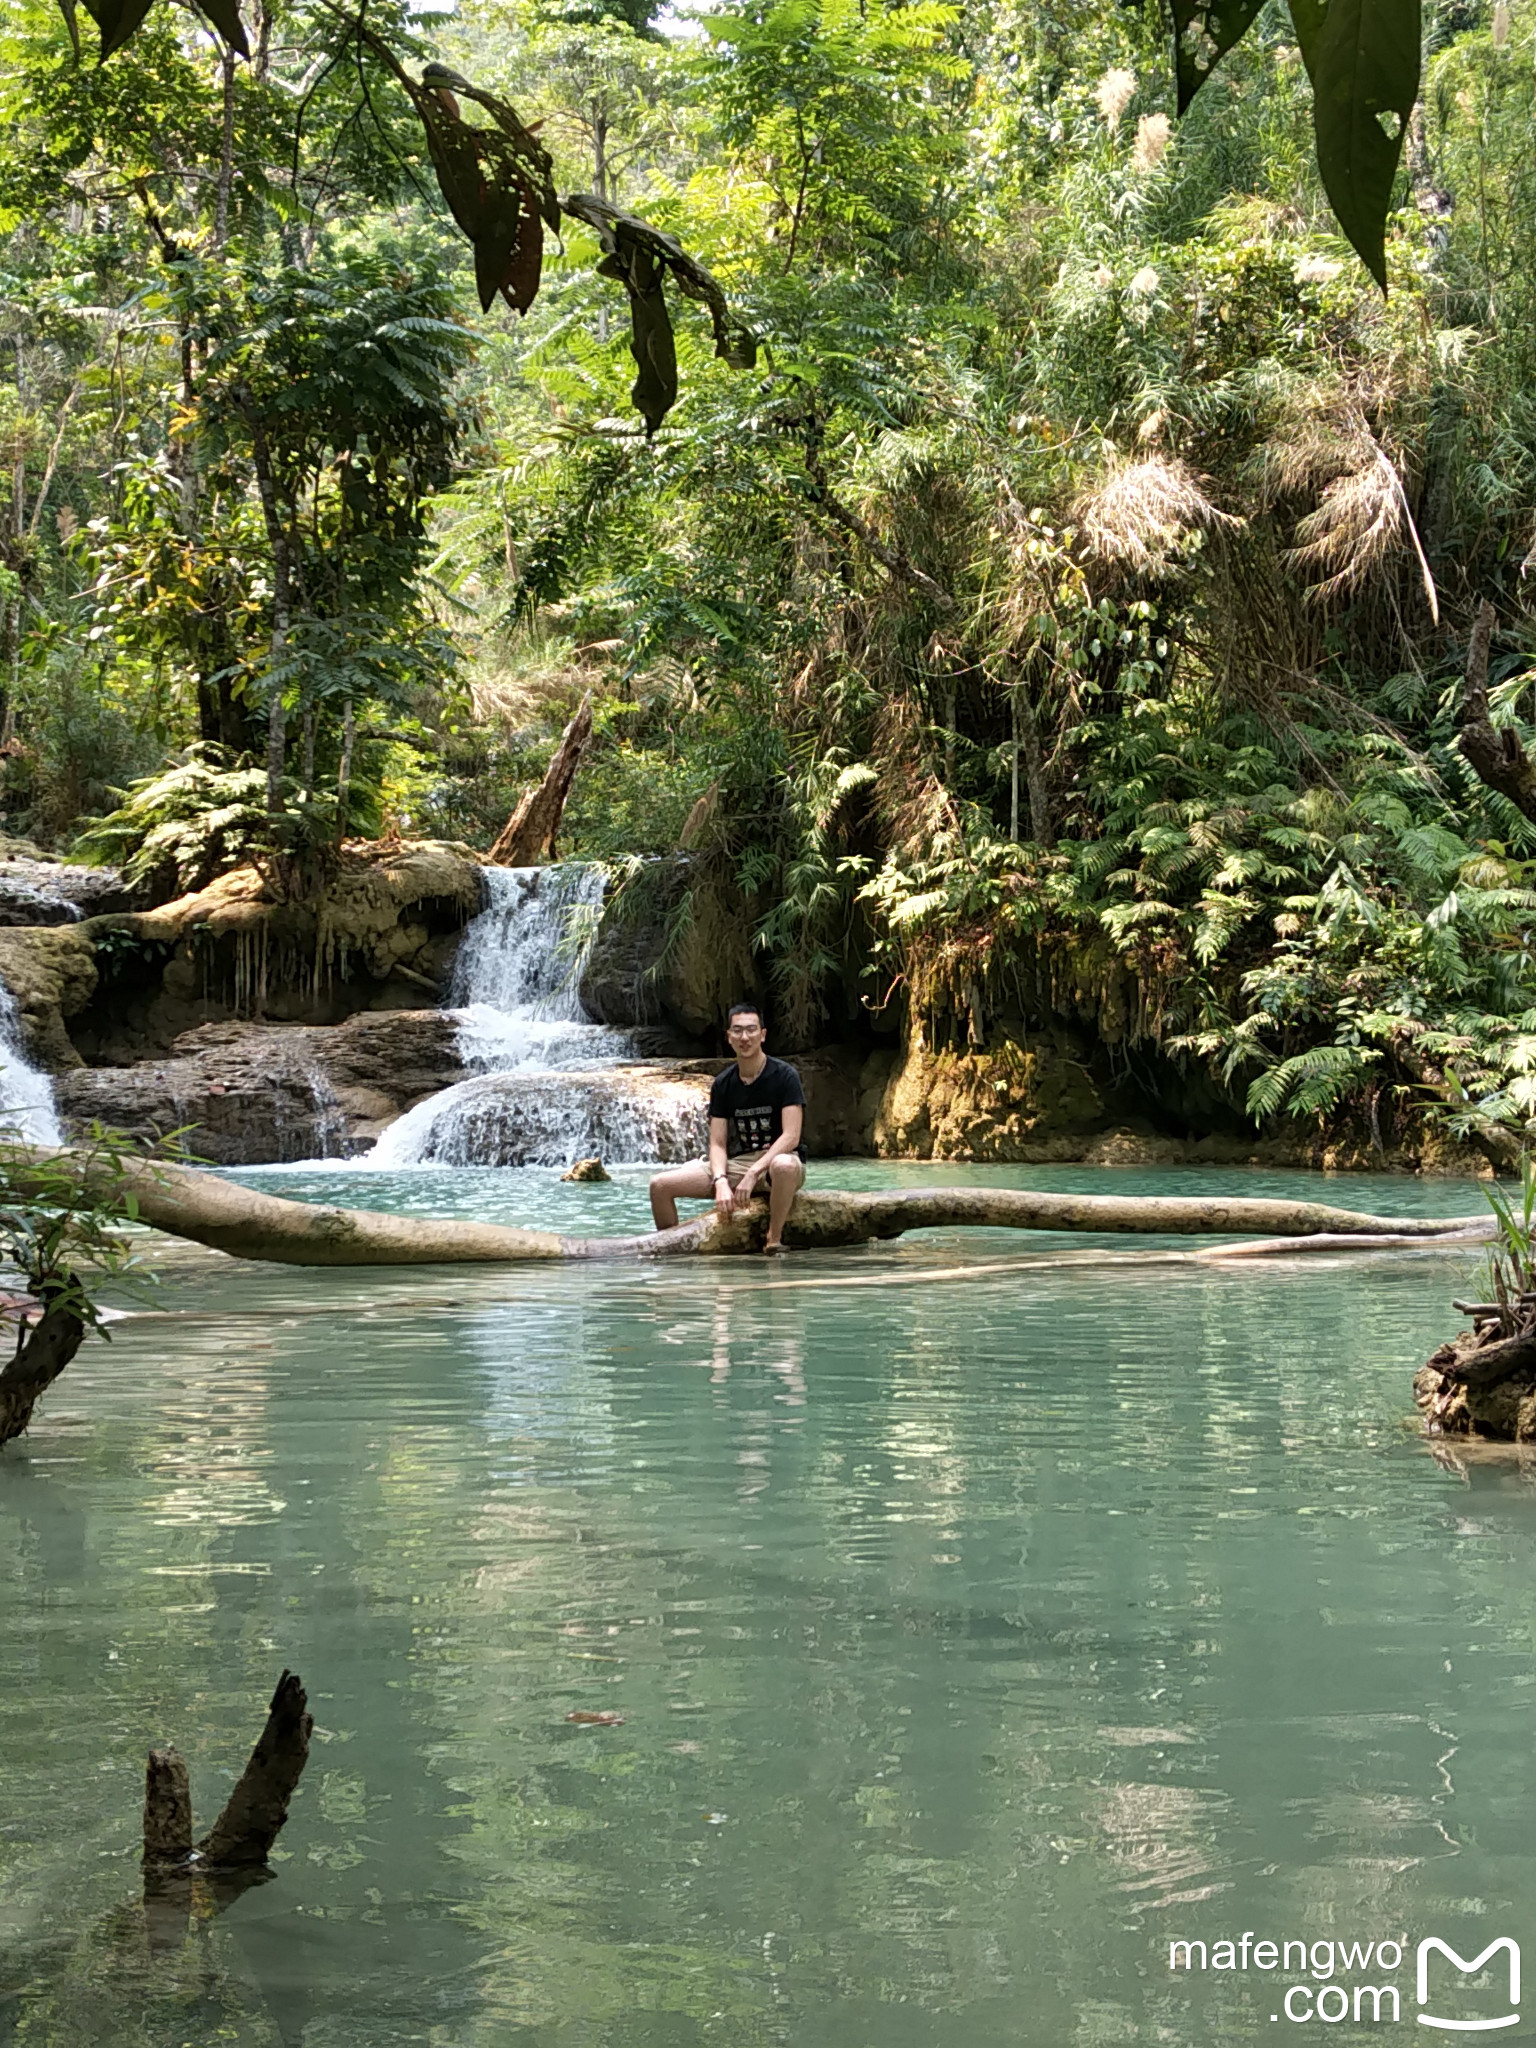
{"x": 757, "y": 1117}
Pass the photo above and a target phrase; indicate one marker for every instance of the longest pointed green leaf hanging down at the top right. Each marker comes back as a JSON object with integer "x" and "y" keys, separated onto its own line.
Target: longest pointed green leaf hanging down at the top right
{"x": 1363, "y": 58}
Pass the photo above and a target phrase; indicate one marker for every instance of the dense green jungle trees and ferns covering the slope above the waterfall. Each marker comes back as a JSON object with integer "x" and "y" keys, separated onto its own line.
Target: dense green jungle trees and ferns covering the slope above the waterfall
{"x": 1066, "y": 613}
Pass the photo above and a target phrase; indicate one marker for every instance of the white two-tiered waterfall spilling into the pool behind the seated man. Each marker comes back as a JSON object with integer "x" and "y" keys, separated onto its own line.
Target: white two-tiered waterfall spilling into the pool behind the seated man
{"x": 552, "y": 1084}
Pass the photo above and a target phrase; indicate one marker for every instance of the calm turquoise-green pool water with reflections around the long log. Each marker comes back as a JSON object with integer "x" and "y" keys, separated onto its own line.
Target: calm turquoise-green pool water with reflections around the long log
{"x": 972, "y": 1637}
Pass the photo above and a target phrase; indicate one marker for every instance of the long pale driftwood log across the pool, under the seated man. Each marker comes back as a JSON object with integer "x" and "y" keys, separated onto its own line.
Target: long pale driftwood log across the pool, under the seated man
{"x": 257, "y": 1226}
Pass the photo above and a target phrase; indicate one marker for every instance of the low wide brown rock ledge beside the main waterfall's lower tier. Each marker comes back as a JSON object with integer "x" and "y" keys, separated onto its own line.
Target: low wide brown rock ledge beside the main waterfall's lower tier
{"x": 251, "y": 1095}
